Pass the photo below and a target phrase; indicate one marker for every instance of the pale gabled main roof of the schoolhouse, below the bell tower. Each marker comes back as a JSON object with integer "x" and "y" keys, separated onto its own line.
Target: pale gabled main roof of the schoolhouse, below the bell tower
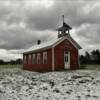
{"x": 50, "y": 44}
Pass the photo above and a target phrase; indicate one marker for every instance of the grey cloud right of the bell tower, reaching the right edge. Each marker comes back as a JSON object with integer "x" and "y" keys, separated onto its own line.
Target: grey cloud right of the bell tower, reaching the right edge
{"x": 90, "y": 32}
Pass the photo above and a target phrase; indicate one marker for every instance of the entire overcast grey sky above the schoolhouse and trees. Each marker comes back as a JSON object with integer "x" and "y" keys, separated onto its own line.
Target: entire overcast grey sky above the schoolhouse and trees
{"x": 23, "y": 22}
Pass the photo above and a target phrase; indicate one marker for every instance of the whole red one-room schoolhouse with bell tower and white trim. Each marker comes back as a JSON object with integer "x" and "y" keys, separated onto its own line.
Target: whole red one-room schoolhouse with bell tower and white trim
{"x": 59, "y": 54}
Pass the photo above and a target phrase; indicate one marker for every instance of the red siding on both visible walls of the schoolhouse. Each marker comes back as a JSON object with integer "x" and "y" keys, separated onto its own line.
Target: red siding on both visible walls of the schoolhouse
{"x": 58, "y": 58}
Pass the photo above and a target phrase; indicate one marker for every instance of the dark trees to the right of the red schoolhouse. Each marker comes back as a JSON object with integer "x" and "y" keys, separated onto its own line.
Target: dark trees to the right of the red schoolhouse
{"x": 90, "y": 58}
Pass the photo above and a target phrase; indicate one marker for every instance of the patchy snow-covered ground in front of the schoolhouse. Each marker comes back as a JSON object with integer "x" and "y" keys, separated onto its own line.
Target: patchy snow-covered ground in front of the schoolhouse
{"x": 17, "y": 84}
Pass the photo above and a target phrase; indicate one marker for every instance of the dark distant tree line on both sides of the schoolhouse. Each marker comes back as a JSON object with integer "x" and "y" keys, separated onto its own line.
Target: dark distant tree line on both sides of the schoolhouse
{"x": 88, "y": 58}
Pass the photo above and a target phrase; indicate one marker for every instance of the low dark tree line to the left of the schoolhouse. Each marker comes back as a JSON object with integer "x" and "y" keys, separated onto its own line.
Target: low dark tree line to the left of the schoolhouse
{"x": 11, "y": 62}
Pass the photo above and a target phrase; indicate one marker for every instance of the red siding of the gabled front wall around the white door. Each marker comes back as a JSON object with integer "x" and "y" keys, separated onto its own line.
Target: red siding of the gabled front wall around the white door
{"x": 59, "y": 55}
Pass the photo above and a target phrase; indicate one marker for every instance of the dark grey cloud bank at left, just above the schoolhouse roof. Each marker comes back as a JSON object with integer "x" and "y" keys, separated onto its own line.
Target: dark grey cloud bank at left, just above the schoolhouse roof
{"x": 19, "y": 38}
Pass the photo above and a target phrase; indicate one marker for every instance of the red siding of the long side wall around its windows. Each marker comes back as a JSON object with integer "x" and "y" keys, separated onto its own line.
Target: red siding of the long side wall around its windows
{"x": 40, "y": 67}
